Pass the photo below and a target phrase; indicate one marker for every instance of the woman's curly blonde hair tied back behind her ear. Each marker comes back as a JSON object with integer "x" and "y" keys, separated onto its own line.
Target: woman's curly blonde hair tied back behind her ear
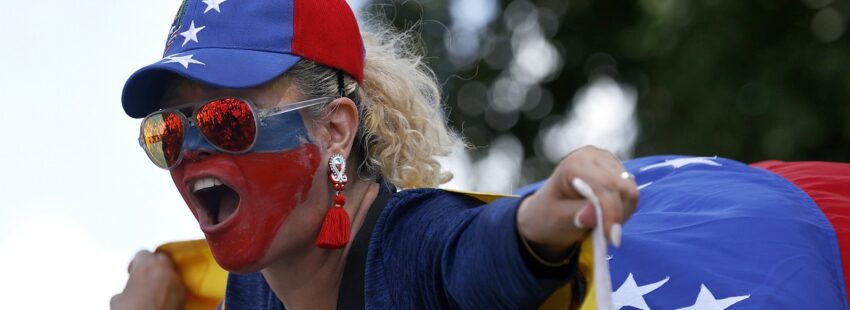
{"x": 402, "y": 123}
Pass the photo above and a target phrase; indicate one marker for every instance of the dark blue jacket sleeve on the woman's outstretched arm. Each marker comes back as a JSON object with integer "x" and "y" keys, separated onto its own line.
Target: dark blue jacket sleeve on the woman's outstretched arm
{"x": 456, "y": 252}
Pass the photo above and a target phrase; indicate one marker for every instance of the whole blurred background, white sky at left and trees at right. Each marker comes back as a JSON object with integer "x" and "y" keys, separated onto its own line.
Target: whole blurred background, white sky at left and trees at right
{"x": 525, "y": 81}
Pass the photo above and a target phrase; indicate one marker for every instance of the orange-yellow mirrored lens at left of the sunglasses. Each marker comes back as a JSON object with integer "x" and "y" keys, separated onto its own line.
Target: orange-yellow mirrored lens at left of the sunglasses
{"x": 162, "y": 135}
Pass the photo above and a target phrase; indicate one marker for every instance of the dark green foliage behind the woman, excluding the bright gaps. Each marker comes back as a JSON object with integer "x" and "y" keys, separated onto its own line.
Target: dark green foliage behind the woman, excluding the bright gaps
{"x": 750, "y": 80}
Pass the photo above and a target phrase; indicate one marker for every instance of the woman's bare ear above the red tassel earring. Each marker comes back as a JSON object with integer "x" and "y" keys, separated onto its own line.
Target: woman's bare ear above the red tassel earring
{"x": 342, "y": 121}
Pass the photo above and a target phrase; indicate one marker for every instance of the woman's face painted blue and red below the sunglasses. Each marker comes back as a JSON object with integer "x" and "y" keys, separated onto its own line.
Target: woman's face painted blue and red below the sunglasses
{"x": 242, "y": 201}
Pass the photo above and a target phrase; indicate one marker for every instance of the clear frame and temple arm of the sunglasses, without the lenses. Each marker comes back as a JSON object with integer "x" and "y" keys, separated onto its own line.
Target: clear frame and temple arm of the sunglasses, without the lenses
{"x": 259, "y": 115}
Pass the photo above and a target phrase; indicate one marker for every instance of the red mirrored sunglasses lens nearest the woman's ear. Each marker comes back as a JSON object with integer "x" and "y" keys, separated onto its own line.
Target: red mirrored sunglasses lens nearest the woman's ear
{"x": 227, "y": 123}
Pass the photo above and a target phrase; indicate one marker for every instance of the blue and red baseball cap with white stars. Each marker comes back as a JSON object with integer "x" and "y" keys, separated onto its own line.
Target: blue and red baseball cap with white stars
{"x": 246, "y": 43}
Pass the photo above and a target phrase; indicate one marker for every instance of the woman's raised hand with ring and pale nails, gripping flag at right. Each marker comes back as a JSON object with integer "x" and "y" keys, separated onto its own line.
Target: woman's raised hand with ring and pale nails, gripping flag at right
{"x": 555, "y": 217}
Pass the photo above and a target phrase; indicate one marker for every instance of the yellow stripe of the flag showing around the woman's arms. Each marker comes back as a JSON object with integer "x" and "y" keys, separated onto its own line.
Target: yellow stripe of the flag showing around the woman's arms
{"x": 206, "y": 282}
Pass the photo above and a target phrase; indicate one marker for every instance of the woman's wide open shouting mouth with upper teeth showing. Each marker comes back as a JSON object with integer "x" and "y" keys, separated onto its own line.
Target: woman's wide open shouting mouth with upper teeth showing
{"x": 217, "y": 201}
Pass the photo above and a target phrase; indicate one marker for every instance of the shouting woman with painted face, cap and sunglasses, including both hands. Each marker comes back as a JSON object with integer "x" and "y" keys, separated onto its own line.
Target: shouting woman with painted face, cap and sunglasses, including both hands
{"x": 257, "y": 109}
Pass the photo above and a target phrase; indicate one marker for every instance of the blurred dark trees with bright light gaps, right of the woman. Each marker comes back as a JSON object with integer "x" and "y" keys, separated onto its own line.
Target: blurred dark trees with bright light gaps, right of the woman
{"x": 529, "y": 81}
